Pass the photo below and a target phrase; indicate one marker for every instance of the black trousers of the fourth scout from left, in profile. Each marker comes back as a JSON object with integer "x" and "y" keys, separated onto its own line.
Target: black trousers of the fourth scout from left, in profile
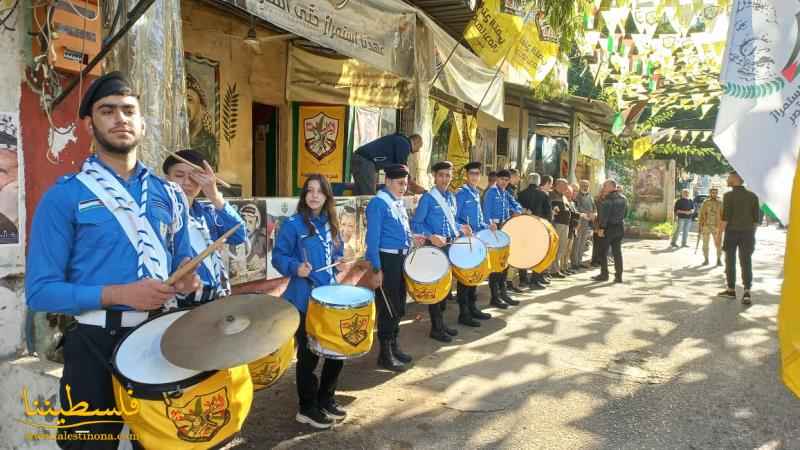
{"x": 395, "y": 288}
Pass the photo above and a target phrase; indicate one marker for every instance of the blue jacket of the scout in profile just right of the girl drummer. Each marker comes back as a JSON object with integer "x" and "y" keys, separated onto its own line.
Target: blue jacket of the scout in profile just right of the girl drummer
{"x": 384, "y": 230}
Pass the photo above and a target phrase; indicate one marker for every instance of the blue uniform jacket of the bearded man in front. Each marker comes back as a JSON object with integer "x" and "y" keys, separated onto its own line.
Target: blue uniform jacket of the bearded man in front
{"x": 77, "y": 247}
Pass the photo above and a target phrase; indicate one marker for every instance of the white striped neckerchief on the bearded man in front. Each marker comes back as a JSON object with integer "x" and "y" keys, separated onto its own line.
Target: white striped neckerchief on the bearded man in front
{"x": 131, "y": 215}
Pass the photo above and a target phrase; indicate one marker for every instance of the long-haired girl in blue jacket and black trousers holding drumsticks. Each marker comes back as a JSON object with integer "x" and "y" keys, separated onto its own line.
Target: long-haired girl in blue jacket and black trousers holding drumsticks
{"x": 307, "y": 241}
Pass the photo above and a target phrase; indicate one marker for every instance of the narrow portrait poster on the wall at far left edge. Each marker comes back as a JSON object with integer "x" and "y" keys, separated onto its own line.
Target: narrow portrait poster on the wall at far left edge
{"x": 9, "y": 173}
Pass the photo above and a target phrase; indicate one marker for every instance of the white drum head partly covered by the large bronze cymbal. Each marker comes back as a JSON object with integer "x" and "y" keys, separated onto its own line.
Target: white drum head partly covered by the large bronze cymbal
{"x": 141, "y": 365}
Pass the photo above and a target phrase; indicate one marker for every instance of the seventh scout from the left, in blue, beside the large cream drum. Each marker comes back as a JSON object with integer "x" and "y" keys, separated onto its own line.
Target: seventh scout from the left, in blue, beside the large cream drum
{"x": 499, "y": 206}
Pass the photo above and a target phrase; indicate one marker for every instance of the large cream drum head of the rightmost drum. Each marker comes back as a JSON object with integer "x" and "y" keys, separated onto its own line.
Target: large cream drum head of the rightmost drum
{"x": 530, "y": 241}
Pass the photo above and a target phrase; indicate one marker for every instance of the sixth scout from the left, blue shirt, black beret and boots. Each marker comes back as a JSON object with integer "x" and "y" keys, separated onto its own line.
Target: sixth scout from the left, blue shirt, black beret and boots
{"x": 469, "y": 212}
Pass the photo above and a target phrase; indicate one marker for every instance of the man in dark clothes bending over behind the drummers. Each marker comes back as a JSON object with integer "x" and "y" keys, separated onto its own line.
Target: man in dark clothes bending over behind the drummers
{"x": 392, "y": 149}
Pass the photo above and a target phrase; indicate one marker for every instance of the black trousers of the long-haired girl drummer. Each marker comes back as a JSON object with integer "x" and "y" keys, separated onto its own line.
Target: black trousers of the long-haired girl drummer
{"x": 310, "y": 391}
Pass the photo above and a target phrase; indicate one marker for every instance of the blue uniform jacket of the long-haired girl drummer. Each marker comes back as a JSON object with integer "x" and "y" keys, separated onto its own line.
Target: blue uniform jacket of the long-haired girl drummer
{"x": 288, "y": 255}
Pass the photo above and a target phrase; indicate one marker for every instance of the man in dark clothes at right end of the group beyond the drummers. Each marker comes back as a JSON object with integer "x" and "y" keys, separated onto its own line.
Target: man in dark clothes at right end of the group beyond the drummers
{"x": 610, "y": 229}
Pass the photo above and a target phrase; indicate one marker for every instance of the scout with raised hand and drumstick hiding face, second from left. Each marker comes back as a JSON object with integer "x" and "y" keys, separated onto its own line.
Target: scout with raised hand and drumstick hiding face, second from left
{"x": 207, "y": 222}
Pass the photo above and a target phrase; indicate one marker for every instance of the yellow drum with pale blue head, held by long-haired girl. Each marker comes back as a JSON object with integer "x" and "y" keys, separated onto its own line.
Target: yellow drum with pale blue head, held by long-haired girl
{"x": 339, "y": 321}
